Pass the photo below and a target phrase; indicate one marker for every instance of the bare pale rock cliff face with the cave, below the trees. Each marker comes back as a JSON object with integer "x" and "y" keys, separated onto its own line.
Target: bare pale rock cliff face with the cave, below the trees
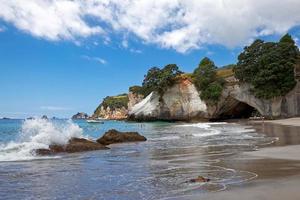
{"x": 182, "y": 102}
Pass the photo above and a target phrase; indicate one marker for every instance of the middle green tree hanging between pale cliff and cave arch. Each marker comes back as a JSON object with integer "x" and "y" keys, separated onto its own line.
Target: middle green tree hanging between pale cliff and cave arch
{"x": 206, "y": 81}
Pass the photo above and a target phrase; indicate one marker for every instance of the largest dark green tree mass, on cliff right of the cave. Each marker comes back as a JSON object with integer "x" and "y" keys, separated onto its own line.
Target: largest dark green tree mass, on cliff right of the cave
{"x": 268, "y": 67}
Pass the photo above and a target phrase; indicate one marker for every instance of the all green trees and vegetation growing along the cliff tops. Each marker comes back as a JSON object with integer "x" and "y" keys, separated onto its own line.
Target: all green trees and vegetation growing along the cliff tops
{"x": 267, "y": 66}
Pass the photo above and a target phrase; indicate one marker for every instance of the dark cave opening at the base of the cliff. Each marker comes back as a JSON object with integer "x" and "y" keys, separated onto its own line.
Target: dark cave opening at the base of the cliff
{"x": 239, "y": 110}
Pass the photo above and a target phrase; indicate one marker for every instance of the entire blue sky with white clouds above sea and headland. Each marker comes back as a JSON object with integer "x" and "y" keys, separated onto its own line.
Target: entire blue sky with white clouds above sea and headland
{"x": 60, "y": 57}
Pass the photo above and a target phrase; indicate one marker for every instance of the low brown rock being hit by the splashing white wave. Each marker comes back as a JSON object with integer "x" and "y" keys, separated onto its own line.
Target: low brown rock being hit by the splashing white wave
{"x": 74, "y": 145}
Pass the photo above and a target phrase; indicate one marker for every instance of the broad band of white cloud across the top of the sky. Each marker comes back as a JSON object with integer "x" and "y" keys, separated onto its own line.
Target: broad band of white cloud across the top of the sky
{"x": 180, "y": 25}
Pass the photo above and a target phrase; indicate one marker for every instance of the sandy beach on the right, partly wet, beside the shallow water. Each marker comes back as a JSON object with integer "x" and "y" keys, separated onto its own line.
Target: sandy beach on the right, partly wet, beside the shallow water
{"x": 277, "y": 165}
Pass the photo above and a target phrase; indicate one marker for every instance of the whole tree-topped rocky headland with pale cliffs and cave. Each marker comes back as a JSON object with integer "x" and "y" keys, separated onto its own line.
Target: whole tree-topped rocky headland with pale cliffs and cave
{"x": 263, "y": 83}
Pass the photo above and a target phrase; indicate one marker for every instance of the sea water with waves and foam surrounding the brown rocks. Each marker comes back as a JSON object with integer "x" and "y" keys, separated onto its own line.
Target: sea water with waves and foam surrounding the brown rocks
{"x": 155, "y": 169}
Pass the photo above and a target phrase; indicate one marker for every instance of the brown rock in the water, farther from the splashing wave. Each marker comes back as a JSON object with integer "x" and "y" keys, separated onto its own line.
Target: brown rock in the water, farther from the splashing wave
{"x": 114, "y": 136}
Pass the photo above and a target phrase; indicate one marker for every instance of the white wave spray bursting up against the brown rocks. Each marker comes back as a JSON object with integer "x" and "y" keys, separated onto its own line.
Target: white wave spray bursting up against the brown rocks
{"x": 35, "y": 134}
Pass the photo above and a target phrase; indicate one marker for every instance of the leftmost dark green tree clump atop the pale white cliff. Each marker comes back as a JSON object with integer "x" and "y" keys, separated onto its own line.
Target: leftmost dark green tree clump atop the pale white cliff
{"x": 160, "y": 79}
